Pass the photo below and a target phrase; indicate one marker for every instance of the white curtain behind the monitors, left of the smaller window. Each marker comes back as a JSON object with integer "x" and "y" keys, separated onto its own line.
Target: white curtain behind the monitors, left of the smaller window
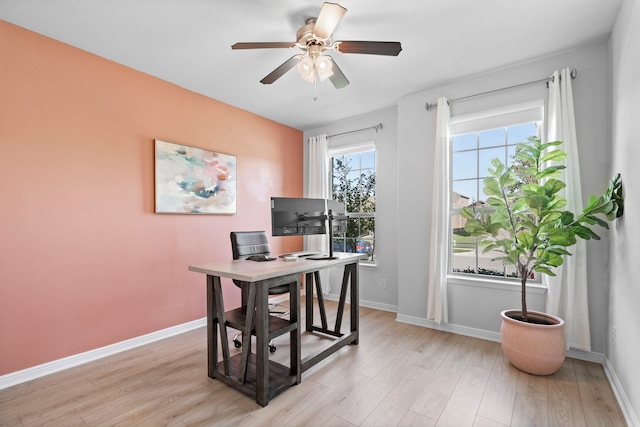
{"x": 318, "y": 188}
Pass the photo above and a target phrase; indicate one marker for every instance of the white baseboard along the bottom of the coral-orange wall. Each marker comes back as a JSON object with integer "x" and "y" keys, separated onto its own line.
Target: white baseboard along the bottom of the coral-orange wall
{"x": 48, "y": 368}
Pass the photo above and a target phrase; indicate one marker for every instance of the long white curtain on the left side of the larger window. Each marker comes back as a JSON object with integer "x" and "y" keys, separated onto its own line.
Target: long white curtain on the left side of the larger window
{"x": 439, "y": 245}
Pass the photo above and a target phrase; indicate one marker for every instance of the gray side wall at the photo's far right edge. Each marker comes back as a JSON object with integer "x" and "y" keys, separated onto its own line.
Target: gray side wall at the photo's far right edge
{"x": 624, "y": 344}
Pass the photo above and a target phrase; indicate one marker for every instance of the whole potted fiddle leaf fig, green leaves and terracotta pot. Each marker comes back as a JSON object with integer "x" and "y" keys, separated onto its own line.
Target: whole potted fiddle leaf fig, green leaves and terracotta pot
{"x": 525, "y": 223}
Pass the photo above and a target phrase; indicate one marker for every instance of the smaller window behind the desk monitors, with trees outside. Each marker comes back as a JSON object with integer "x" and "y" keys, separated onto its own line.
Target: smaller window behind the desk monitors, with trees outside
{"x": 353, "y": 182}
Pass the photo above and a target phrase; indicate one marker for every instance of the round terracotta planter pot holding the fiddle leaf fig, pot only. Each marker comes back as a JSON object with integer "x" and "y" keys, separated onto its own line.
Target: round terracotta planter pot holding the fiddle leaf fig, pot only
{"x": 535, "y": 348}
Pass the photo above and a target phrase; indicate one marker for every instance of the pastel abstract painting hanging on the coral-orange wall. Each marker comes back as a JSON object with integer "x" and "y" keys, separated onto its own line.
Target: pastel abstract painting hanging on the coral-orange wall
{"x": 194, "y": 181}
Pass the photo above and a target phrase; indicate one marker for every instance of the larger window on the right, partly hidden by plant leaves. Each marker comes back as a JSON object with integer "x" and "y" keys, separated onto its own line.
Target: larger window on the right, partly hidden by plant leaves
{"x": 474, "y": 143}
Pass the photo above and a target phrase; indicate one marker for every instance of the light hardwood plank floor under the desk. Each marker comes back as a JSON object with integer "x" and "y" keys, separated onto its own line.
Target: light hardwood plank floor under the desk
{"x": 399, "y": 375}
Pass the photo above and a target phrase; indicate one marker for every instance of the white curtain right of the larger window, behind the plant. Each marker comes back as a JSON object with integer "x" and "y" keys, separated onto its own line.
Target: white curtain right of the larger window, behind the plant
{"x": 567, "y": 292}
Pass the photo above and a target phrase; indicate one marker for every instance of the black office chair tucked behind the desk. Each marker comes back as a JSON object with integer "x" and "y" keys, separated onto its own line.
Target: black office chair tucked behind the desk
{"x": 243, "y": 245}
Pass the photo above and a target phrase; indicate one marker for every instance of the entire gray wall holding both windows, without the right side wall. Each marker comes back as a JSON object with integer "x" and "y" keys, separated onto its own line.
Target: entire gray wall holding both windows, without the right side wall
{"x": 405, "y": 152}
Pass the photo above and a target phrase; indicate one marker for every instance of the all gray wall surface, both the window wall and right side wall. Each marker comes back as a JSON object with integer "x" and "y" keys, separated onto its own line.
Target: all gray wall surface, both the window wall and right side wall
{"x": 607, "y": 105}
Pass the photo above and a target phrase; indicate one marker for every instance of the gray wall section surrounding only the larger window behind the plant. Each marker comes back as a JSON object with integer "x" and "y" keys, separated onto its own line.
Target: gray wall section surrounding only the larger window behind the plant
{"x": 477, "y": 308}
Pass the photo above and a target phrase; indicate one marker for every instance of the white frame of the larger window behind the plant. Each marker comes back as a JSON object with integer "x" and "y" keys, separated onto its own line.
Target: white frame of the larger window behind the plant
{"x": 475, "y": 123}
